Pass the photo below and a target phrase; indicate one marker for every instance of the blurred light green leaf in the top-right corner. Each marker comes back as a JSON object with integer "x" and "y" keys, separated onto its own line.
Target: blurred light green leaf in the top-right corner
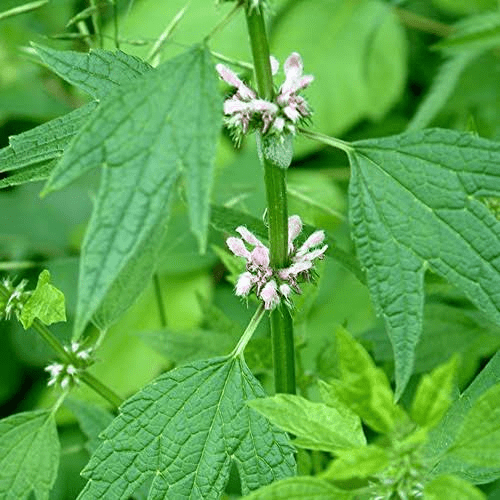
{"x": 473, "y": 33}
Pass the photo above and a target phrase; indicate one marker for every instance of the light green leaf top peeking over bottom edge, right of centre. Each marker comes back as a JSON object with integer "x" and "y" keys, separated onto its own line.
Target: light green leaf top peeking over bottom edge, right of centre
{"x": 300, "y": 488}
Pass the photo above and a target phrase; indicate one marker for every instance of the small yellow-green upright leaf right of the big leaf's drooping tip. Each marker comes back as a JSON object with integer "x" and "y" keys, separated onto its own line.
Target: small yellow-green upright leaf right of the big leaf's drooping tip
{"x": 433, "y": 395}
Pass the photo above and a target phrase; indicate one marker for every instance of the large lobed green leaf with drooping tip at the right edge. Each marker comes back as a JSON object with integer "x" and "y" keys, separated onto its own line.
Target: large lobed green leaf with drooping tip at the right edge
{"x": 414, "y": 204}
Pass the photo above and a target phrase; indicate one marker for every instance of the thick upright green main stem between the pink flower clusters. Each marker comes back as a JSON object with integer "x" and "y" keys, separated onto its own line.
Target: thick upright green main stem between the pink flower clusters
{"x": 277, "y": 213}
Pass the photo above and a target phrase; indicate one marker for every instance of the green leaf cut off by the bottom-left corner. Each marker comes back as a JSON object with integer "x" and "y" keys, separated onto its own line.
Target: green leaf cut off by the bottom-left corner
{"x": 29, "y": 455}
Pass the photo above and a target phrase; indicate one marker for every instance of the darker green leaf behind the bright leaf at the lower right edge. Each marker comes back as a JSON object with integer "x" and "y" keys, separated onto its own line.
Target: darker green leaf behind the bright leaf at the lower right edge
{"x": 442, "y": 438}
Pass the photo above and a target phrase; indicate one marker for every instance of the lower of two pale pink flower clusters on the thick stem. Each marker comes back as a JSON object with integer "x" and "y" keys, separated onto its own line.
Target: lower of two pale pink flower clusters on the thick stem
{"x": 272, "y": 286}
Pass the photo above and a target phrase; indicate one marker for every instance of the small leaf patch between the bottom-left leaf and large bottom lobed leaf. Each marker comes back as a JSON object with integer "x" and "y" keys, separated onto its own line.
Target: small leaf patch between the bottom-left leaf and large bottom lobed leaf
{"x": 92, "y": 420}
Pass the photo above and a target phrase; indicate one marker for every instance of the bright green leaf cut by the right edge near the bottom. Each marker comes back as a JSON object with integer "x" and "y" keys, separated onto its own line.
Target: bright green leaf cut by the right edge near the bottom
{"x": 478, "y": 441}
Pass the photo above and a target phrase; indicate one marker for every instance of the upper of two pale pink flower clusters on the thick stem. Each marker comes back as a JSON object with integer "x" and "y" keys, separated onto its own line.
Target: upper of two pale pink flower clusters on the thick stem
{"x": 245, "y": 111}
